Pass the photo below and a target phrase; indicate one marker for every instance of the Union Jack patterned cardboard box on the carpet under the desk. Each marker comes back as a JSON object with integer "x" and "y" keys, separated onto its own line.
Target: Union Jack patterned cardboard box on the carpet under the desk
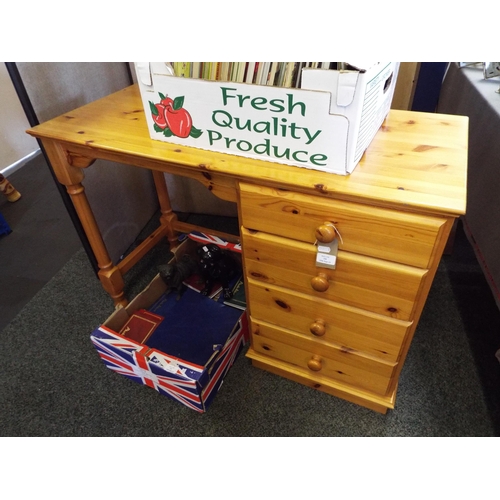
{"x": 201, "y": 354}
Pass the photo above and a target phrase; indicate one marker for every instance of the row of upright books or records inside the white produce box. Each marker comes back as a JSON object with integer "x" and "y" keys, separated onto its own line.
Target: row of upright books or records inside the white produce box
{"x": 278, "y": 74}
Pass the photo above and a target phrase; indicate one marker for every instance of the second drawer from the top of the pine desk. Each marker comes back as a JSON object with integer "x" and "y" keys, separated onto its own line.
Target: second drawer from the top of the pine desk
{"x": 371, "y": 284}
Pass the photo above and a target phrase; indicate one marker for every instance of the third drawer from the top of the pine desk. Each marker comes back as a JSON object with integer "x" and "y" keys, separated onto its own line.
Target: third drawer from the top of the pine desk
{"x": 332, "y": 323}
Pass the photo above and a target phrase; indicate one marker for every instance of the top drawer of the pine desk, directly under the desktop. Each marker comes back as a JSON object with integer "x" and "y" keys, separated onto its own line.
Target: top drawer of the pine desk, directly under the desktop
{"x": 377, "y": 232}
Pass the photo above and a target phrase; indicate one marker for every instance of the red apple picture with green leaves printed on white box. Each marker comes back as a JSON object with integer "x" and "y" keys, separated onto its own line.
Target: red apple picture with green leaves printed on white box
{"x": 171, "y": 118}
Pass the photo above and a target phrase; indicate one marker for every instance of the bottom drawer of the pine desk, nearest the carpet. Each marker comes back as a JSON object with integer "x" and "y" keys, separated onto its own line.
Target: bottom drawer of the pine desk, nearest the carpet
{"x": 344, "y": 366}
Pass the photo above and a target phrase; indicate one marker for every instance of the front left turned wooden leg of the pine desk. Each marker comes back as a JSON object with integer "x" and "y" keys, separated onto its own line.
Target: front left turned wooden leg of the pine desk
{"x": 72, "y": 176}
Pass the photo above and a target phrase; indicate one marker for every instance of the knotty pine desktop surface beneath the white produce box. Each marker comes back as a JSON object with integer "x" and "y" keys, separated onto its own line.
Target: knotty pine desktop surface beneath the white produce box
{"x": 417, "y": 161}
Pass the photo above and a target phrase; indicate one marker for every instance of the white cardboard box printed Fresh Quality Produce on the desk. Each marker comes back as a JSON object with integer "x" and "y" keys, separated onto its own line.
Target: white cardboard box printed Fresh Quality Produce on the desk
{"x": 326, "y": 125}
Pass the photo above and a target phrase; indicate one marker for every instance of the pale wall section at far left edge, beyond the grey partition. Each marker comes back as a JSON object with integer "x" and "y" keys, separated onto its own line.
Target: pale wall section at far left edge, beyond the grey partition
{"x": 15, "y": 144}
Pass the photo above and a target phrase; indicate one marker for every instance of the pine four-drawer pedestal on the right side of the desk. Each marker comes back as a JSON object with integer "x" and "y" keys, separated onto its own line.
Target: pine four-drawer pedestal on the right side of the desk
{"x": 345, "y": 329}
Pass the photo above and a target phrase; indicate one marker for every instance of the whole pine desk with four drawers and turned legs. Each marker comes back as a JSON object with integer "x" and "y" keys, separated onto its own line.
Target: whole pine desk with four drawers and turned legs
{"x": 345, "y": 331}
